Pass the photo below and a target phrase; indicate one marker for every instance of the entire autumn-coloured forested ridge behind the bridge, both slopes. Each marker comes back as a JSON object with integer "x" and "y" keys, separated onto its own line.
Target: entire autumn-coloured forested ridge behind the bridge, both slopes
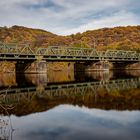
{"x": 127, "y": 38}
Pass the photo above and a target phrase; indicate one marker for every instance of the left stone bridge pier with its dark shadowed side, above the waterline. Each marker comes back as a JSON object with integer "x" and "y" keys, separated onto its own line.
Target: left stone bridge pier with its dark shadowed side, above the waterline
{"x": 38, "y": 66}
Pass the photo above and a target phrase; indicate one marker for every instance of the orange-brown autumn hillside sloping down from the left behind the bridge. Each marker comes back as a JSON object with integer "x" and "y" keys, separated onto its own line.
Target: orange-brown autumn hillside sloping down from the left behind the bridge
{"x": 36, "y": 37}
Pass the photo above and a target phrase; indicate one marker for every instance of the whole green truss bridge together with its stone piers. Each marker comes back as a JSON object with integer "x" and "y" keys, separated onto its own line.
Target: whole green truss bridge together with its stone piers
{"x": 24, "y": 55}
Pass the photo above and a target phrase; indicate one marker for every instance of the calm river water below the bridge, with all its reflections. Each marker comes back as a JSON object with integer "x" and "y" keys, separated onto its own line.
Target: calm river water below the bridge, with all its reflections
{"x": 70, "y": 106}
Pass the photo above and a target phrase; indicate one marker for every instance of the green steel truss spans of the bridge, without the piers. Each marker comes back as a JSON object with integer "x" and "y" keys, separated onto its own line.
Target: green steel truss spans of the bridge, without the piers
{"x": 57, "y": 53}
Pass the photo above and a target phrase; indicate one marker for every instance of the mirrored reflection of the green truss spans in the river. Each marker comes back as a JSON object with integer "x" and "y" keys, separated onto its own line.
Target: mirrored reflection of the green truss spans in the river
{"x": 11, "y": 95}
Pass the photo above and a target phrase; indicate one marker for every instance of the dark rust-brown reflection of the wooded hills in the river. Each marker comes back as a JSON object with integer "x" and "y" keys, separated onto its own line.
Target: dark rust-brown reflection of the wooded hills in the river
{"x": 102, "y": 98}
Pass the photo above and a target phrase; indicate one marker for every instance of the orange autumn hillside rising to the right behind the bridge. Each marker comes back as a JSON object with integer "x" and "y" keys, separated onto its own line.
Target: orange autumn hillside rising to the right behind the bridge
{"x": 112, "y": 38}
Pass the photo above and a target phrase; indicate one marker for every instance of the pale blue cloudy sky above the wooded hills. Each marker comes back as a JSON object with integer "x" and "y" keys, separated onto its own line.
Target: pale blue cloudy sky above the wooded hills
{"x": 69, "y": 16}
